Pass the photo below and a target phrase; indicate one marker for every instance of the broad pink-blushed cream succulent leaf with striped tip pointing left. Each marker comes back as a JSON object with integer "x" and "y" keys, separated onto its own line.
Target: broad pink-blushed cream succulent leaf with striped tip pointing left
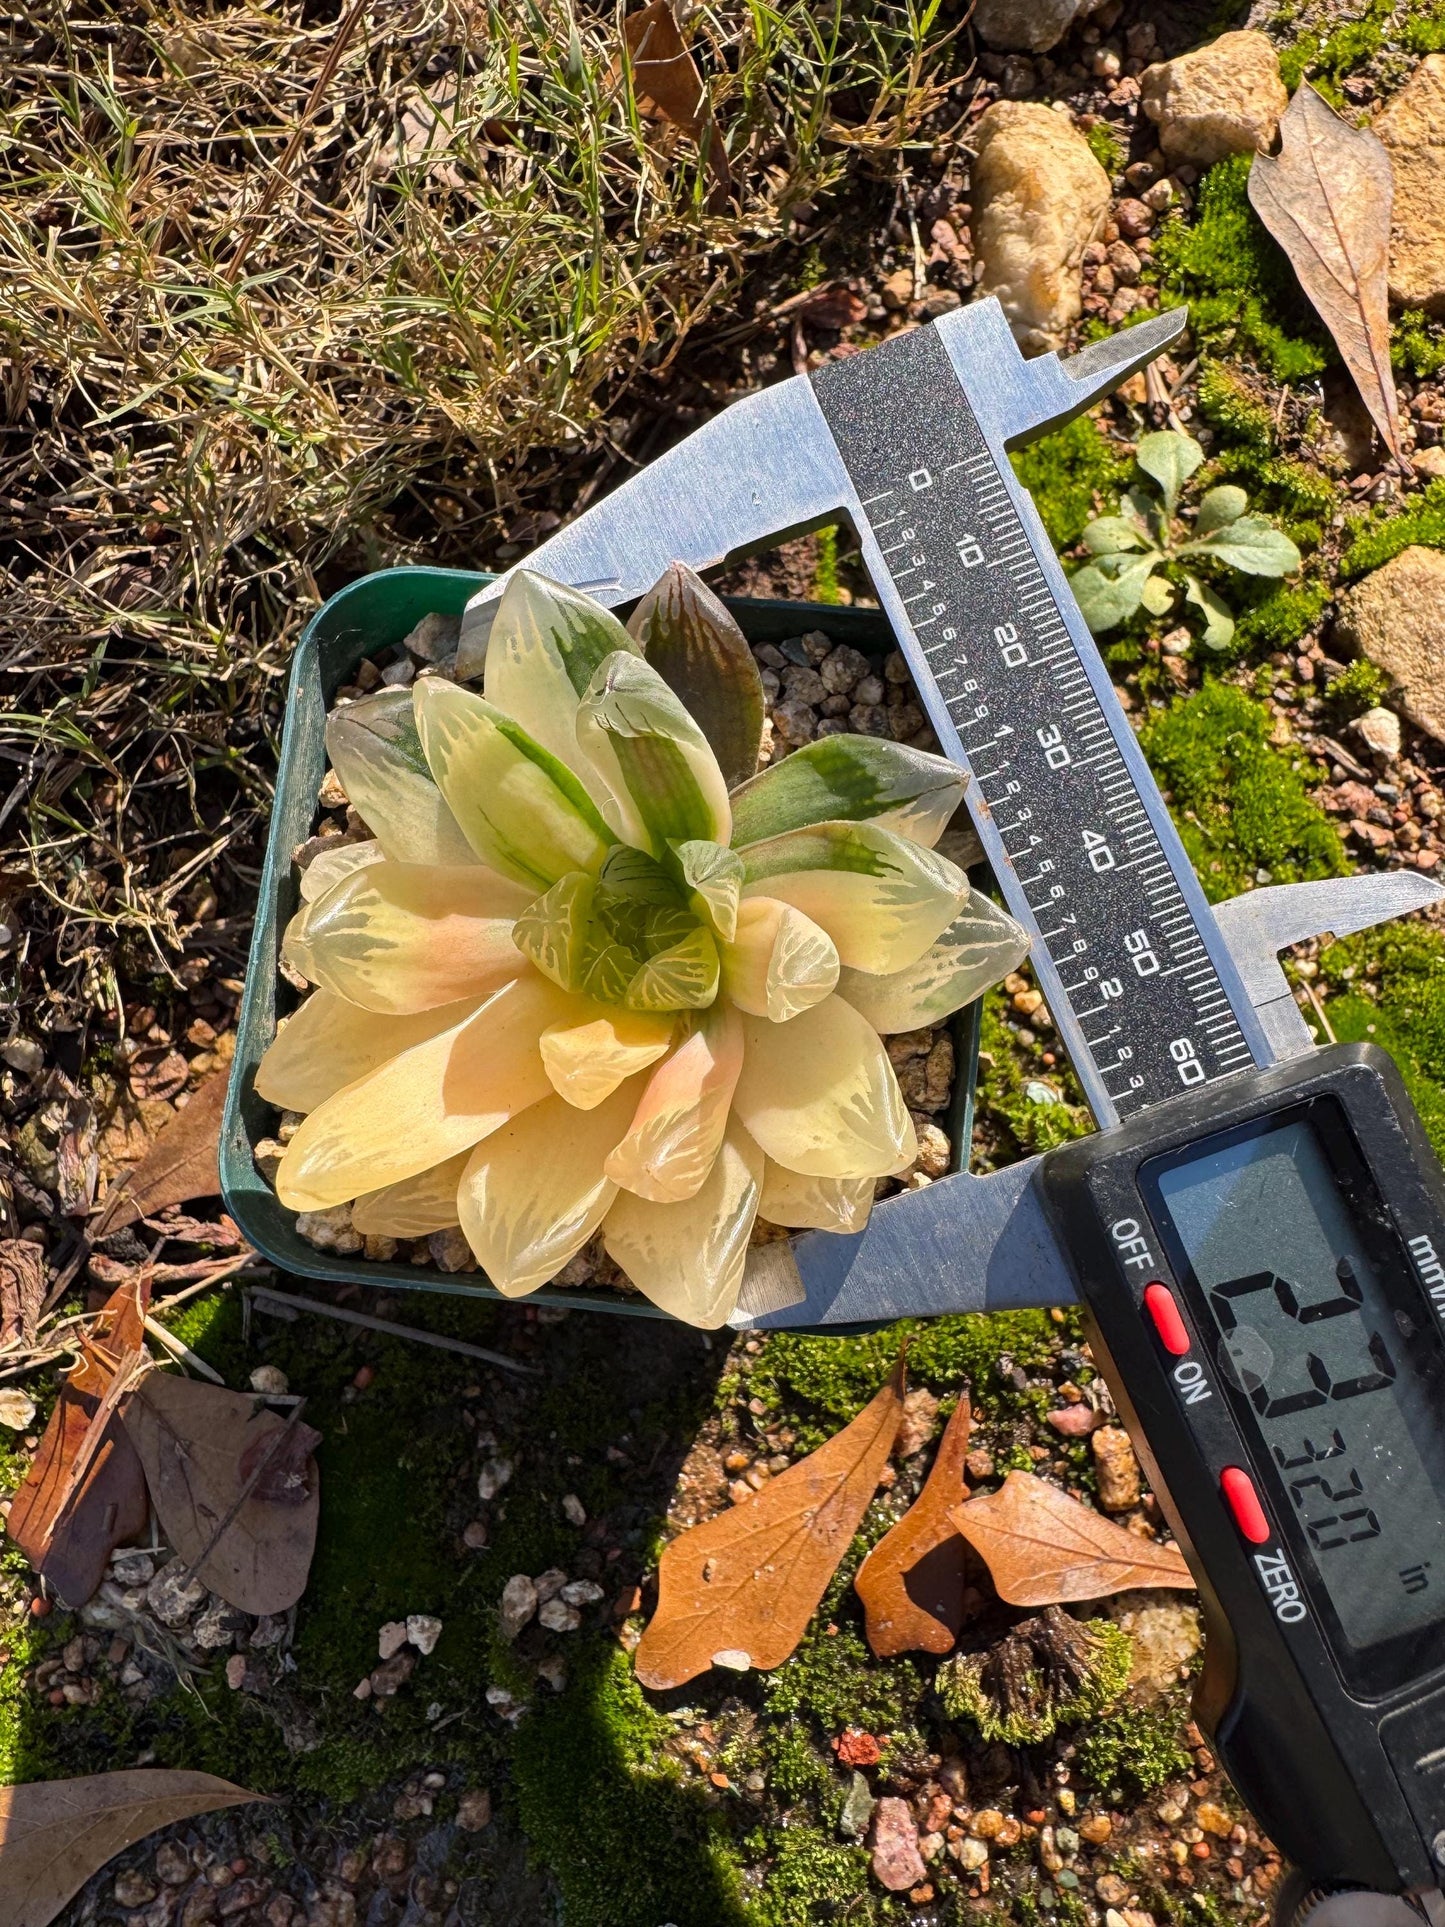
{"x": 400, "y": 937}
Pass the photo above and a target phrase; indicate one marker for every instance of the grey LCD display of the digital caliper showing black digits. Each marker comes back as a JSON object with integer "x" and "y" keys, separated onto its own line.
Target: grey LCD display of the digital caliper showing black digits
{"x": 1330, "y": 1354}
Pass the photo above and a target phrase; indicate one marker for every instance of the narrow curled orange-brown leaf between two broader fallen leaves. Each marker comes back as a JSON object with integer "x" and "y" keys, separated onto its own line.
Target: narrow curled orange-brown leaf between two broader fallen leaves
{"x": 912, "y": 1583}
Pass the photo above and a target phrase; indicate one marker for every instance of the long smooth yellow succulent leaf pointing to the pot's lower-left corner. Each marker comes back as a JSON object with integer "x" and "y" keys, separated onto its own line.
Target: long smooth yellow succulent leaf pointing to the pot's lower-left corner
{"x": 429, "y": 1103}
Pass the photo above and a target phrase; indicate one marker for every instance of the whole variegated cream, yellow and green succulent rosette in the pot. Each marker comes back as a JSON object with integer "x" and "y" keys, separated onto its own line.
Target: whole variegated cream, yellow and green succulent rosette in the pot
{"x": 596, "y": 972}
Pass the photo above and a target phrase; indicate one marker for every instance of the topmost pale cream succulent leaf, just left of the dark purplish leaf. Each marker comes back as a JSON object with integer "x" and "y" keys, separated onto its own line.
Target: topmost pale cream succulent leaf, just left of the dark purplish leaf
{"x": 544, "y": 650}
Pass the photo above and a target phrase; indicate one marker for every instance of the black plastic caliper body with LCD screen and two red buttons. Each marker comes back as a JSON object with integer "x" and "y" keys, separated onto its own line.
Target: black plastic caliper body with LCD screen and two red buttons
{"x": 1263, "y": 1265}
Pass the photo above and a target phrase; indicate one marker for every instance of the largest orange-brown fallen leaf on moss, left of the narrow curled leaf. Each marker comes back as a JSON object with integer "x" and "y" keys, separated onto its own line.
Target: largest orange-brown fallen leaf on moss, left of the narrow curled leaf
{"x": 747, "y": 1583}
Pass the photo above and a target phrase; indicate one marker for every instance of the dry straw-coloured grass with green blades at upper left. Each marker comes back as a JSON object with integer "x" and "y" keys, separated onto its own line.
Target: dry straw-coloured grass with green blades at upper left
{"x": 259, "y": 327}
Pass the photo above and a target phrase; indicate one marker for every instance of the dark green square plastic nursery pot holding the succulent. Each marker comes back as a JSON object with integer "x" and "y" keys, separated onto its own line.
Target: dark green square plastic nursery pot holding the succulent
{"x": 365, "y": 620}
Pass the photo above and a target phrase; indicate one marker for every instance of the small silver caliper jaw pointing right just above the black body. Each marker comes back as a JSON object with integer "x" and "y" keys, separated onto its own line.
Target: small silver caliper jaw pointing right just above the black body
{"x": 1261, "y": 924}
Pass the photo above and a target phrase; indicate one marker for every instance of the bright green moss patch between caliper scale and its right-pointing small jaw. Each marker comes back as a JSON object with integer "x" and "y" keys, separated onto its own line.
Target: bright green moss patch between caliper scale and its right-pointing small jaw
{"x": 1242, "y": 805}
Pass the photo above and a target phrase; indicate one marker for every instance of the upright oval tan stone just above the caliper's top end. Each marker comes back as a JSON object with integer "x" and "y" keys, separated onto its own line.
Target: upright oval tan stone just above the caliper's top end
{"x": 1039, "y": 199}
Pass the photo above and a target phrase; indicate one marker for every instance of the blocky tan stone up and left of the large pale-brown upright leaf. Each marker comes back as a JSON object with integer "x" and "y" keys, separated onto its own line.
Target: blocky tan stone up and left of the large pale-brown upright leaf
{"x": 1222, "y": 99}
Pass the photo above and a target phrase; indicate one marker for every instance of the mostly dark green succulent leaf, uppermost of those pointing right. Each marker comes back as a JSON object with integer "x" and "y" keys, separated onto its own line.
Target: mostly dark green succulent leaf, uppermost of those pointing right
{"x": 851, "y": 779}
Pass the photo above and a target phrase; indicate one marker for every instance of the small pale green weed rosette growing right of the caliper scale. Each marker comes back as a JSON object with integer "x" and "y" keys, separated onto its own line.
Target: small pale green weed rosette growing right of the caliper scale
{"x": 1142, "y": 558}
